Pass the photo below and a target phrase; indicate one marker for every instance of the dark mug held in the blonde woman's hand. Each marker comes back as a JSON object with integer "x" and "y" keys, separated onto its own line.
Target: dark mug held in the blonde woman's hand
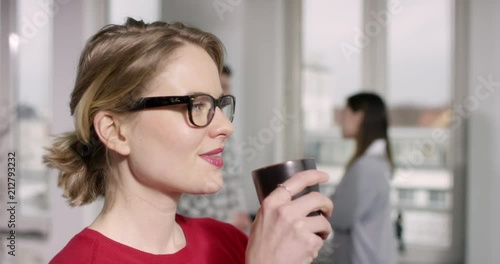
{"x": 266, "y": 179}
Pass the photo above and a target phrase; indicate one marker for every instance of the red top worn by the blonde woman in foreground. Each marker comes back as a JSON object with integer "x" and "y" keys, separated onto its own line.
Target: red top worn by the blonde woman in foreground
{"x": 207, "y": 241}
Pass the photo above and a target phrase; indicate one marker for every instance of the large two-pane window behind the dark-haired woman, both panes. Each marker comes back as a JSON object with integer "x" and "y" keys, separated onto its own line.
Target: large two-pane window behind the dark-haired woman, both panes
{"x": 413, "y": 48}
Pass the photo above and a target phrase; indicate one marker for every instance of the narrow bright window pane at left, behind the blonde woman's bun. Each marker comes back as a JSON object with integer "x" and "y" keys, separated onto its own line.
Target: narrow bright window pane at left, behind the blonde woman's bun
{"x": 33, "y": 104}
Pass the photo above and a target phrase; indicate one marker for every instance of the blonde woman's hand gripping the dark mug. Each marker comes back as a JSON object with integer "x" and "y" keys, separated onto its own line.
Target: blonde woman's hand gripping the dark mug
{"x": 282, "y": 231}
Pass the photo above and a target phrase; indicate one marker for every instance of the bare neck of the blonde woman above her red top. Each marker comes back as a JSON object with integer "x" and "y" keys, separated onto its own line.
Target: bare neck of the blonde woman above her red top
{"x": 143, "y": 219}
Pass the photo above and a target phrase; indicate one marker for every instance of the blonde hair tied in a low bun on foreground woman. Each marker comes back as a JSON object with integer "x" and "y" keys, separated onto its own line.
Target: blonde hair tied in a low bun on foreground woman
{"x": 115, "y": 66}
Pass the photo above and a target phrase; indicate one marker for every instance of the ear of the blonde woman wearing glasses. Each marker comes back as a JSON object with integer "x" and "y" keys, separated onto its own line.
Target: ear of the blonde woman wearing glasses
{"x": 109, "y": 130}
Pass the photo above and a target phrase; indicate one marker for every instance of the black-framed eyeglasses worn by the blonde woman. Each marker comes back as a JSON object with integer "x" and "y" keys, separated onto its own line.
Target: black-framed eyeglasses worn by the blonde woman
{"x": 201, "y": 107}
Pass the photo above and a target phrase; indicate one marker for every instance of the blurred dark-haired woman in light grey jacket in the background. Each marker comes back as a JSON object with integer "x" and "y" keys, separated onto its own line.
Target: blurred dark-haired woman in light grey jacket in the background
{"x": 363, "y": 231}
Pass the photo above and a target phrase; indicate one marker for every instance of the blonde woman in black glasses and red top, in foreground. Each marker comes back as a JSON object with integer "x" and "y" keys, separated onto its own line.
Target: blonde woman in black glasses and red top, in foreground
{"x": 151, "y": 122}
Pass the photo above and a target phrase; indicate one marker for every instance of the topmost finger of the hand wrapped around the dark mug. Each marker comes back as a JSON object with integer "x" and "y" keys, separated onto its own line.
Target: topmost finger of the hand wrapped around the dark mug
{"x": 308, "y": 203}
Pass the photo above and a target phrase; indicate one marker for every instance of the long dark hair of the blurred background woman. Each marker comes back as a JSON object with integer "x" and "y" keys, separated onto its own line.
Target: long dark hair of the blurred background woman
{"x": 375, "y": 123}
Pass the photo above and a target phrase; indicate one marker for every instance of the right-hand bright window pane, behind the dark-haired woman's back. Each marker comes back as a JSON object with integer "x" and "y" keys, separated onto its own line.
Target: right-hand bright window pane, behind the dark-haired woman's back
{"x": 419, "y": 98}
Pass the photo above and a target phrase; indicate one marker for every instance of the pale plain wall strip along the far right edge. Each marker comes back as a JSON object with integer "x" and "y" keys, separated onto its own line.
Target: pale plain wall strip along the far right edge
{"x": 483, "y": 190}
